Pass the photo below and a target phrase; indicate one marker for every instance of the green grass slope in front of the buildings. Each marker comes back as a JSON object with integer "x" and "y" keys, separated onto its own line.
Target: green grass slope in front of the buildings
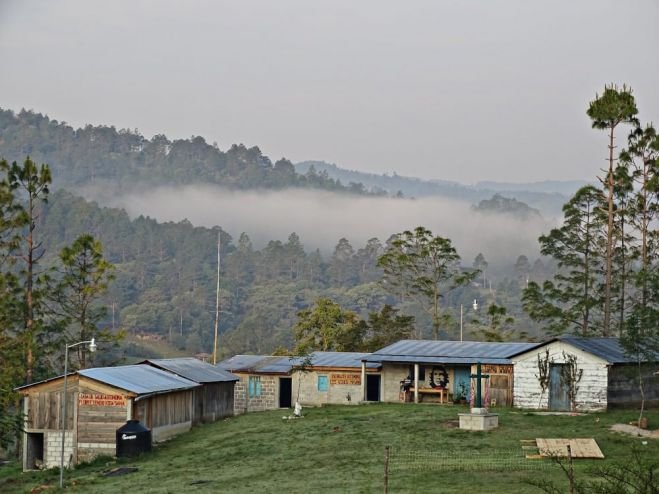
{"x": 342, "y": 449}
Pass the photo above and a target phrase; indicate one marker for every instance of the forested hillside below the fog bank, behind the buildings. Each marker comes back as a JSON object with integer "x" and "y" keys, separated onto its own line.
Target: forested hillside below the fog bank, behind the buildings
{"x": 165, "y": 280}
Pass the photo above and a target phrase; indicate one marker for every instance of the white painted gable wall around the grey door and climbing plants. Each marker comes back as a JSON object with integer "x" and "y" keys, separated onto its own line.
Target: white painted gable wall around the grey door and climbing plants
{"x": 592, "y": 387}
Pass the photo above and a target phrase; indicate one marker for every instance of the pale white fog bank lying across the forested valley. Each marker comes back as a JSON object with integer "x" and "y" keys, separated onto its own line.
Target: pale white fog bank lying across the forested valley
{"x": 321, "y": 218}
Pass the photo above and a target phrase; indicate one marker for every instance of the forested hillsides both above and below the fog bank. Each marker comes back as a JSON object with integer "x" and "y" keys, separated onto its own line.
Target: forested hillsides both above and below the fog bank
{"x": 165, "y": 272}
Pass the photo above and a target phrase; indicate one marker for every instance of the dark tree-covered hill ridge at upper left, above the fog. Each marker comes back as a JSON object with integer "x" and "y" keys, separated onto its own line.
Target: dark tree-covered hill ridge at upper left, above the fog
{"x": 124, "y": 159}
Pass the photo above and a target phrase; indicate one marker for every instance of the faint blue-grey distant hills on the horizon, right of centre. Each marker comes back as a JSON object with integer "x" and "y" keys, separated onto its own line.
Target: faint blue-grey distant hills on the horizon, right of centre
{"x": 548, "y": 197}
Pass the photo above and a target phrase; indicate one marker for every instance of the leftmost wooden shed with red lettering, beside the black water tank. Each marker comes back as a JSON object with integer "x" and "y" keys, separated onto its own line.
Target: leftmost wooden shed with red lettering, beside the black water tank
{"x": 99, "y": 401}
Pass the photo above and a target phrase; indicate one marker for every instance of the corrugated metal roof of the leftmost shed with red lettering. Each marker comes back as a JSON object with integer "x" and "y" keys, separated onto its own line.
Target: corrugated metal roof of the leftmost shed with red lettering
{"x": 140, "y": 379}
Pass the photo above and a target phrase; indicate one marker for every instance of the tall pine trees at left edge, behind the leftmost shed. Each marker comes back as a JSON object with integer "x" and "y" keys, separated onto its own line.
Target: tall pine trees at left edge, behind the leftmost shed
{"x": 43, "y": 306}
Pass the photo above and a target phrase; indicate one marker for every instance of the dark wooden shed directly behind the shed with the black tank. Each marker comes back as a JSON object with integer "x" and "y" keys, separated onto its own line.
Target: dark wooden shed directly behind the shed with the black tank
{"x": 214, "y": 399}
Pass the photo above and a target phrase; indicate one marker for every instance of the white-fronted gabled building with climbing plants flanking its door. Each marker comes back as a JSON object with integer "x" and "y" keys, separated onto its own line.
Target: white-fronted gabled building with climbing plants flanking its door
{"x": 605, "y": 375}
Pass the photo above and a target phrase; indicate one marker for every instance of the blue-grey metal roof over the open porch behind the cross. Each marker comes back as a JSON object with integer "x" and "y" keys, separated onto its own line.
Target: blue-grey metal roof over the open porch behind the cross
{"x": 448, "y": 352}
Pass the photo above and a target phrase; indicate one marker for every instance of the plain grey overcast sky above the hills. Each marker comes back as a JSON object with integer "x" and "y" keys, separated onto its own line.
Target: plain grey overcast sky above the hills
{"x": 455, "y": 90}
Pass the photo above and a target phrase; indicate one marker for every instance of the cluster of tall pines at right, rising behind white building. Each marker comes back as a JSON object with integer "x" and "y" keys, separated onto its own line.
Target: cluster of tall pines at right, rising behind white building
{"x": 607, "y": 246}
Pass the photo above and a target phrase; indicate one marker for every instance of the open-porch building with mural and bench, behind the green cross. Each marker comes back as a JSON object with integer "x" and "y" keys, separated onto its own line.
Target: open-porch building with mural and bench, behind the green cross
{"x": 430, "y": 370}
